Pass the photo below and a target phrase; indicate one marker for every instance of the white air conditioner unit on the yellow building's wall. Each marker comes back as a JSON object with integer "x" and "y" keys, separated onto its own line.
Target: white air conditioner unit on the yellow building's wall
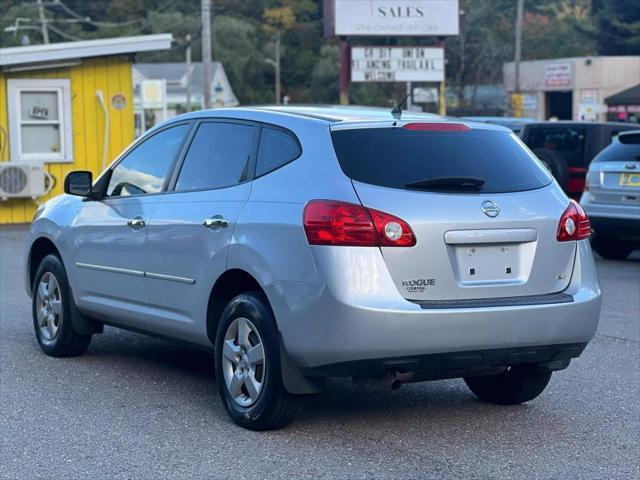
{"x": 22, "y": 180}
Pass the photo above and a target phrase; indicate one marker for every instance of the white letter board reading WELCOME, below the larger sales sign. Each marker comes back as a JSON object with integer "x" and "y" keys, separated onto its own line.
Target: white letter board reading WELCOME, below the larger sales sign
{"x": 397, "y": 64}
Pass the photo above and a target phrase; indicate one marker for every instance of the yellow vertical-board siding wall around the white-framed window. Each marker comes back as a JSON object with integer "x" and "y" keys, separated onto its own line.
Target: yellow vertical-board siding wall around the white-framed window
{"x": 111, "y": 75}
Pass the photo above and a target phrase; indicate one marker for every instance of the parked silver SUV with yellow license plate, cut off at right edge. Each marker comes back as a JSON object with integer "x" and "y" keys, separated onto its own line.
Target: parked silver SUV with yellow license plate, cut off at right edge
{"x": 612, "y": 197}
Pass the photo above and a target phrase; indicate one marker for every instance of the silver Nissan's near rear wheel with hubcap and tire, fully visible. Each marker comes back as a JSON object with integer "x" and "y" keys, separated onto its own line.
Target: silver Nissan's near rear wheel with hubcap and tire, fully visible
{"x": 251, "y": 389}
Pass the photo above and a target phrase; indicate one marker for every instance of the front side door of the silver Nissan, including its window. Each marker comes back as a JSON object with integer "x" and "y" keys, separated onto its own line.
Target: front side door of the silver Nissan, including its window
{"x": 110, "y": 234}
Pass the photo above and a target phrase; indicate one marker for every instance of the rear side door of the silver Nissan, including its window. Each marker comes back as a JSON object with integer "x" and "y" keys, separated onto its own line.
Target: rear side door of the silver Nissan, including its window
{"x": 190, "y": 231}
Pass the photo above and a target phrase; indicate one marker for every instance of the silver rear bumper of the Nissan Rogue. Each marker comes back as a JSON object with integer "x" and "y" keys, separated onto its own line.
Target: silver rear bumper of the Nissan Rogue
{"x": 357, "y": 314}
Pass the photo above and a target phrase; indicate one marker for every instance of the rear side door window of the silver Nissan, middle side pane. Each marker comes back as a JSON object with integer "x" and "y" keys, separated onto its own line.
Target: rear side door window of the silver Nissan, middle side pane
{"x": 219, "y": 156}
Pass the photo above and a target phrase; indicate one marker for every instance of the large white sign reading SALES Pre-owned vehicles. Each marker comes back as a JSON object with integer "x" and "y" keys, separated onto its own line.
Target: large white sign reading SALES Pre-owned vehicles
{"x": 396, "y": 17}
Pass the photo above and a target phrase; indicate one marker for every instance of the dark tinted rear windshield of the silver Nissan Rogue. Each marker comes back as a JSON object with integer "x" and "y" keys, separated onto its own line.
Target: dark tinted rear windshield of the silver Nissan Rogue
{"x": 397, "y": 157}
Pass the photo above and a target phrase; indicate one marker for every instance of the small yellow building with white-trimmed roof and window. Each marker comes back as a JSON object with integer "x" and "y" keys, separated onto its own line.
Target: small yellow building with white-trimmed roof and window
{"x": 63, "y": 106}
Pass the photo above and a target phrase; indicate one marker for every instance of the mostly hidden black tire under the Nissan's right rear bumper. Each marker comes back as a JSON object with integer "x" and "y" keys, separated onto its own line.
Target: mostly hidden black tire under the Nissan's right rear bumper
{"x": 518, "y": 384}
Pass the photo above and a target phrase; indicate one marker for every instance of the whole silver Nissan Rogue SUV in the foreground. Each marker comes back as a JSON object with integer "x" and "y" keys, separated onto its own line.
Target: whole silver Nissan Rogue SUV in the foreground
{"x": 305, "y": 243}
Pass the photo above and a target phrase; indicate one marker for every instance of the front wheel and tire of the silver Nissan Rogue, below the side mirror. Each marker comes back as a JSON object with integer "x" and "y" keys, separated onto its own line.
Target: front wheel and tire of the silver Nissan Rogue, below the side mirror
{"x": 51, "y": 310}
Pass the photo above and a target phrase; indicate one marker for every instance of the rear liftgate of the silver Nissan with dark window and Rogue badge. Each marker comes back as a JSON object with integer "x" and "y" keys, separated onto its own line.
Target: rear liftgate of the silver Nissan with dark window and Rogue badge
{"x": 484, "y": 211}
